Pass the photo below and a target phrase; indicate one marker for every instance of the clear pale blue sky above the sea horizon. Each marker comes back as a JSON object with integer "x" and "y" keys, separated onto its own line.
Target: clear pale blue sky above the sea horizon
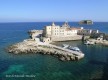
{"x": 53, "y": 10}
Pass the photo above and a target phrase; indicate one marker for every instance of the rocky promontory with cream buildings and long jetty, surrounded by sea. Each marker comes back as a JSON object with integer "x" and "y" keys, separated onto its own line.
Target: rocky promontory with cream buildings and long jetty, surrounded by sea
{"x": 40, "y": 41}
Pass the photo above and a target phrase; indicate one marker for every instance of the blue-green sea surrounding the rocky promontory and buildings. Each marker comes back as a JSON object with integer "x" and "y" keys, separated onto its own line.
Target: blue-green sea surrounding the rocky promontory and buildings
{"x": 94, "y": 66}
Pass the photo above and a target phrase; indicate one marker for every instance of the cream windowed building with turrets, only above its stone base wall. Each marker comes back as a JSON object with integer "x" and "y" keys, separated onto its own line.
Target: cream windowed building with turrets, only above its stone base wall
{"x": 60, "y": 31}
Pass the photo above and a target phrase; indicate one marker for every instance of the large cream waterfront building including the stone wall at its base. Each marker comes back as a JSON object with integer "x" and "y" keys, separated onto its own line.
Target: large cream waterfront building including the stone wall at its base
{"x": 59, "y": 33}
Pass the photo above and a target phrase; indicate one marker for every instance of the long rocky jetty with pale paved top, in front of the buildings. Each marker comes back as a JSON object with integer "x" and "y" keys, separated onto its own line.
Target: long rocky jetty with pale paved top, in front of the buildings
{"x": 31, "y": 46}
